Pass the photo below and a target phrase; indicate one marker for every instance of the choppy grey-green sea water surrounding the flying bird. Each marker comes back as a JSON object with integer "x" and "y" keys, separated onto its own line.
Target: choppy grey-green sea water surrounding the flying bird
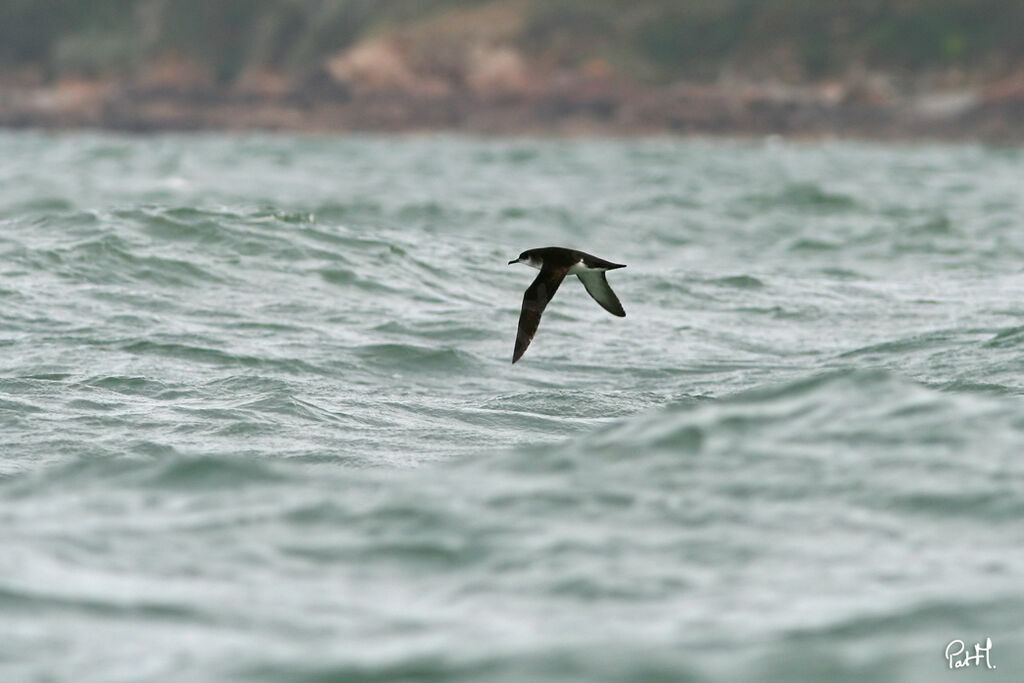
{"x": 260, "y": 420}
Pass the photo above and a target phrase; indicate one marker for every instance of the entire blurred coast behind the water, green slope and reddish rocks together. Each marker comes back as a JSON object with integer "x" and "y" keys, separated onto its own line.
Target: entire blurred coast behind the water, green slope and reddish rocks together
{"x": 943, "y": 69}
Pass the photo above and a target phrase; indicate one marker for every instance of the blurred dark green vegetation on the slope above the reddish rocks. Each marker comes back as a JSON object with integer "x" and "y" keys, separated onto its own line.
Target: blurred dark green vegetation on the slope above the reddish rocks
{"x": 659, "y": 40}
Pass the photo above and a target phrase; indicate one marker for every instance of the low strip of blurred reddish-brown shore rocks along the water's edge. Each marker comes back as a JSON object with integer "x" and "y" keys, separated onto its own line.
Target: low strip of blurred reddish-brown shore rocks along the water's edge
{"x": 581, "y": 109}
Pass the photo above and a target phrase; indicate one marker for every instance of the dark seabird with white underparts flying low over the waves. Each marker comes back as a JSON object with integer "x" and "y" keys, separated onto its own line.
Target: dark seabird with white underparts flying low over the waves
{"x": 554, "y": 264}
